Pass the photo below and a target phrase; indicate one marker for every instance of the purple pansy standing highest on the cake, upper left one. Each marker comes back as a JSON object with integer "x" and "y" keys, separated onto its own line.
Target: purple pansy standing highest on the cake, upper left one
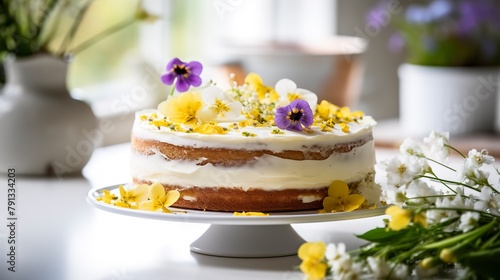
{"x": 184, "y": 74}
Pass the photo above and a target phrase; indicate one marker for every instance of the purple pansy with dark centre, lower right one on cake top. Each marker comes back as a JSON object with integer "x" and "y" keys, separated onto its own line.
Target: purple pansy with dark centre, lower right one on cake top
{"x": 295, "y": 115}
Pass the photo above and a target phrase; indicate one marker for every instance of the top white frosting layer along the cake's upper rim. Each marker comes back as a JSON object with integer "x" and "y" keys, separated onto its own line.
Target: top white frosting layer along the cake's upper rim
{"x": 263, "y": 139}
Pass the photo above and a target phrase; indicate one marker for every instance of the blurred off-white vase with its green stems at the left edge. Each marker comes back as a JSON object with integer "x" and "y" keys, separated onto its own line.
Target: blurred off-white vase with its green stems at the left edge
{"x": 45, "y": 131}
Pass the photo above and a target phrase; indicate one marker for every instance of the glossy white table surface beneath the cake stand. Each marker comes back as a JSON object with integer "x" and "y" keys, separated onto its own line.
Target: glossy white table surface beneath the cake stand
{"x": 59, "y": 235}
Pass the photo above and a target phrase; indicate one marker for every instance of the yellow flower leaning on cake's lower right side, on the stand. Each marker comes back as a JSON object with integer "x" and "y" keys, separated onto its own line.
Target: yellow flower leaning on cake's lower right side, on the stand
{"x": 339, "y": 199}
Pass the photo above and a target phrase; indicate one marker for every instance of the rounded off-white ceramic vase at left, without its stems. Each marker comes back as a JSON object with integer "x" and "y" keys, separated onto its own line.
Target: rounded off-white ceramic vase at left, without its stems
{"x": 43, "y": 130}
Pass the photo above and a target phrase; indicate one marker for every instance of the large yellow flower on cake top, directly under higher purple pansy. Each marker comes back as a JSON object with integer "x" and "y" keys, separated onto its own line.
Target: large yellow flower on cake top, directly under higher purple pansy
{"x": 182, "y": 108}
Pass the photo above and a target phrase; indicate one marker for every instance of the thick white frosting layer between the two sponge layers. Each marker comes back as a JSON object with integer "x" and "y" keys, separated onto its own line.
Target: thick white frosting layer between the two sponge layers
{"x": 266, "y": 172}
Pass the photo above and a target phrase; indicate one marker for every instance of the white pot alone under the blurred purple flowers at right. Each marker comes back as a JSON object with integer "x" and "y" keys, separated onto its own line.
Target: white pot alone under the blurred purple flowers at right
{"x": 459, "y": 100}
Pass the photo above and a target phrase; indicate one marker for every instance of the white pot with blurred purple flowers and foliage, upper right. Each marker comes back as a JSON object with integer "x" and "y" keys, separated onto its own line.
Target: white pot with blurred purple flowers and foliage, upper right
{"x": 450, "y": 79}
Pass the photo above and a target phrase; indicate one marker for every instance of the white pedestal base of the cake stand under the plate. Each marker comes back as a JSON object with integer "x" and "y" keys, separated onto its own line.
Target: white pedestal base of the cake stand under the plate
{"x": 248, "y": 241}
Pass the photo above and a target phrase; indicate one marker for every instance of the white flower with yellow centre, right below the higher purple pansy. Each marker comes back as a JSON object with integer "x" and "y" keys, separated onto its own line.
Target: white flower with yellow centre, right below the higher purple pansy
{"x": 218, "y": 106}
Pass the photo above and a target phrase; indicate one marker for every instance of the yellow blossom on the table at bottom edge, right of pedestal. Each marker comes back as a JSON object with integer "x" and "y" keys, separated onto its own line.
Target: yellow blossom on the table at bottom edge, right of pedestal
{"x": 312, "y": 255}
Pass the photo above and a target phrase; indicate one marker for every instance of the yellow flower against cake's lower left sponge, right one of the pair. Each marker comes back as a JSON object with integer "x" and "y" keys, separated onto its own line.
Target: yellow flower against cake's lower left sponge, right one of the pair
{"x": 159, "y": 199}
